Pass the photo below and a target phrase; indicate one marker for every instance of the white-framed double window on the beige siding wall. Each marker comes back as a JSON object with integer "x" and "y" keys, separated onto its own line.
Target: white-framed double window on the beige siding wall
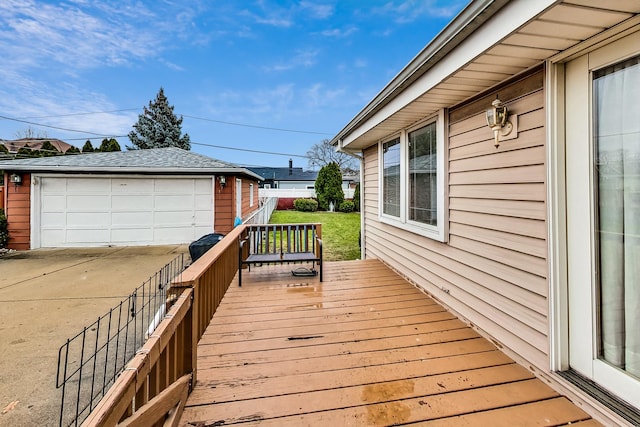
{"x": 413, "y": 179}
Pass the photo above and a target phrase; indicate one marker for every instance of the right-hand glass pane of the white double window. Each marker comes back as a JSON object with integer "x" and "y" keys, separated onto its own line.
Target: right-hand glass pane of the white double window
{"x": 423, "y": 188}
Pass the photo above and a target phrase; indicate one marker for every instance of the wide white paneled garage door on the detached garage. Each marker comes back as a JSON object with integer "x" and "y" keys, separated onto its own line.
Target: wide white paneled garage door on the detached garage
{"x": 99, "y": 211}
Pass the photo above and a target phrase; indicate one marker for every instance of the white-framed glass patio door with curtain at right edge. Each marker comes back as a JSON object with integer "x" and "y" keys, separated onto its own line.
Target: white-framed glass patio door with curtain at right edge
{"x": 603, "y": 215}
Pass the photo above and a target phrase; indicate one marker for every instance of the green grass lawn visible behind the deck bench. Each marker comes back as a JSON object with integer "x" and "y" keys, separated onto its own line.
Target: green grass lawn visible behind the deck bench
{"x": 340, "y": 231}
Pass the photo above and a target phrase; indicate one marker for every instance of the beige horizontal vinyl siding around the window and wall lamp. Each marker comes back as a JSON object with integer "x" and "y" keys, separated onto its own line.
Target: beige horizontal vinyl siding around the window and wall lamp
{"x": 493, "y": 269}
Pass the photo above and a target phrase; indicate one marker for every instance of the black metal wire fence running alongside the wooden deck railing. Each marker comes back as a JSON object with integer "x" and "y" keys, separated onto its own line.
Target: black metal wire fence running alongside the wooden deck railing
{"x": 90, "y": 362}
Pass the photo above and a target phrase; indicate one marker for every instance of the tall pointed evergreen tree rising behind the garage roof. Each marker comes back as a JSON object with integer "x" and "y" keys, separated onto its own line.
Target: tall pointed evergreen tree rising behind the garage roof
{"x": 158, "y": 127}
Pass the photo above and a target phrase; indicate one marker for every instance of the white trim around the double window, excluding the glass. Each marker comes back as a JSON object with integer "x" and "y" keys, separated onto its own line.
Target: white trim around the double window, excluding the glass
{"x": 438, "y": 232}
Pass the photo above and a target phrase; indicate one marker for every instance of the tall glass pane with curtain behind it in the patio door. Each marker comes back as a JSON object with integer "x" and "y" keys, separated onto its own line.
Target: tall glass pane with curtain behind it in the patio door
{"x": 616, "y": 92}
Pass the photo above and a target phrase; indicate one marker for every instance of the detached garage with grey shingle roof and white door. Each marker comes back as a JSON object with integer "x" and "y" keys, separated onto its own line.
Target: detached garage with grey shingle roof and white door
{"x": 138, "y": 197}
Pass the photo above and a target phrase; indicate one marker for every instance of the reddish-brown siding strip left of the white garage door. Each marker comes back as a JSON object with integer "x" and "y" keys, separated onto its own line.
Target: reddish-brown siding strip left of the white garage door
{"x": 18, "y": 213}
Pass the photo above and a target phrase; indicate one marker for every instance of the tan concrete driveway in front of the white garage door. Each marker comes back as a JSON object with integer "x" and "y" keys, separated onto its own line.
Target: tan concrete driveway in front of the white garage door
{"x": 49, "y": 295}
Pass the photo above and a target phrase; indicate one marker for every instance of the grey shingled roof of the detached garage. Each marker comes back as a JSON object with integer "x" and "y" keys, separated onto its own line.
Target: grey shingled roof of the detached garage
{"x": 157, "y": 160}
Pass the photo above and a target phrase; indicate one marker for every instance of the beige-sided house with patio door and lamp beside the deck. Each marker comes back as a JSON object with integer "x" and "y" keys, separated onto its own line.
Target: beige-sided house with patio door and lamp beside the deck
{"x": 534, "y": 242}
